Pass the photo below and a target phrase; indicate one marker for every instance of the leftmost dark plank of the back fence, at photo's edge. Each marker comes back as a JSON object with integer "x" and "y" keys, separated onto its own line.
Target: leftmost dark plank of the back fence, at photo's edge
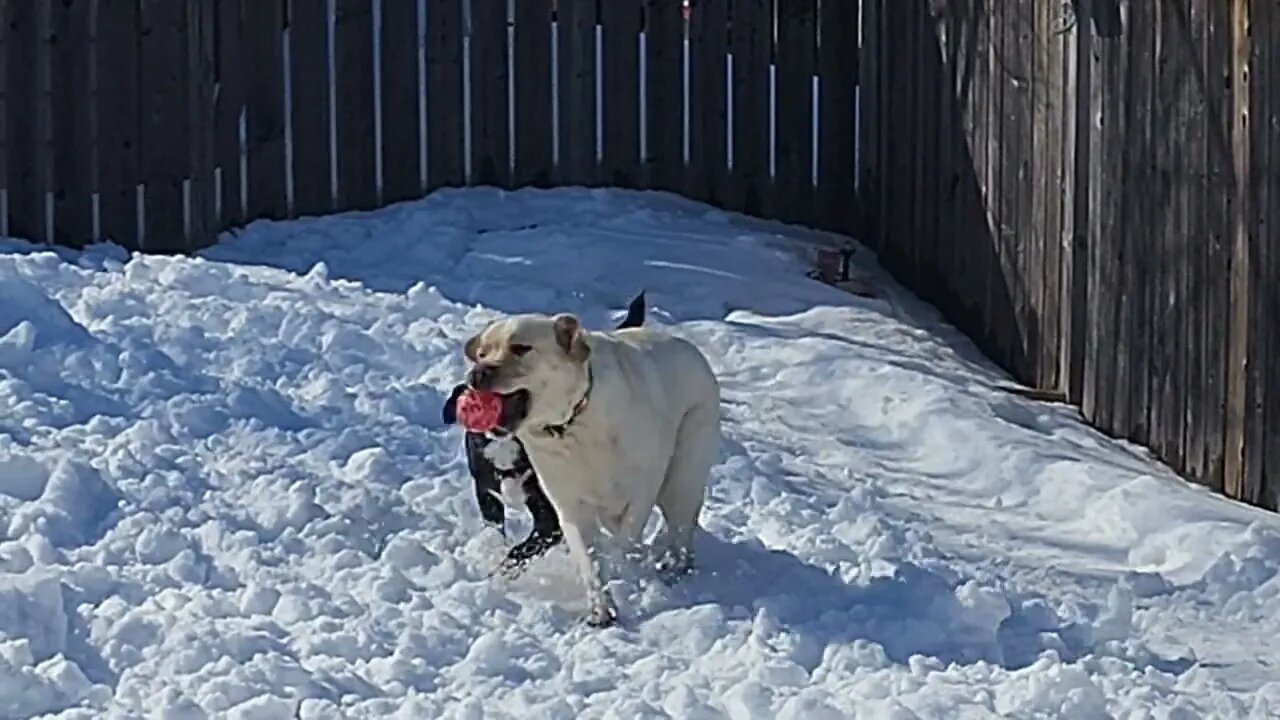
{"x": 28, "y": 108}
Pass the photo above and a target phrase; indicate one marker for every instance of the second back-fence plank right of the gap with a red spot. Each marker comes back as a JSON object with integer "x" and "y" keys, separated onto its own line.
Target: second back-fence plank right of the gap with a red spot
{"x": 749, "y": 42}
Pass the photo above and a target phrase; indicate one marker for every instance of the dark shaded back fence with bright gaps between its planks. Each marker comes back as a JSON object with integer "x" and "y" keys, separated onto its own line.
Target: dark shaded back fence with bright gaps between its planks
{"x": 159, "y": 124}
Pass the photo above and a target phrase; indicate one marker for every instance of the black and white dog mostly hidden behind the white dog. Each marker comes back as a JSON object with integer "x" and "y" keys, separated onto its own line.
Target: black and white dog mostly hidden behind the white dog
{"x": 504, "y": 475}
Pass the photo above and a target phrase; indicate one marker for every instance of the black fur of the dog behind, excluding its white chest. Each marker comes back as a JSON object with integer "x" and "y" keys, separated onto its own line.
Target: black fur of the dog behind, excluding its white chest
{"x": 488, "y": 477}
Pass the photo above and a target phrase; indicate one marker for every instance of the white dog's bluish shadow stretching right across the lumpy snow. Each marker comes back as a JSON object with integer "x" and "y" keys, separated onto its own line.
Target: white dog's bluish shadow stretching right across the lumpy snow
{"x": 915, "y": 612}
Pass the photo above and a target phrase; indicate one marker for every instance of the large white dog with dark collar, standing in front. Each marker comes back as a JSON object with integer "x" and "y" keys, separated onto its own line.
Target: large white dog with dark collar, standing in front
{"x": 614, "y": 423}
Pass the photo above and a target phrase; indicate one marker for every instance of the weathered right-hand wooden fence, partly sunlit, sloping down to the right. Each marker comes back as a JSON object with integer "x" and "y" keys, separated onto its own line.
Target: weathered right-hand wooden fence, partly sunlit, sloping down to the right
{"x": 1089, "y": 189}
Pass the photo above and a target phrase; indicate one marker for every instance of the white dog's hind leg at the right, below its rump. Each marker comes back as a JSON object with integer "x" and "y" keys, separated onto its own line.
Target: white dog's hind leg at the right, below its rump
{"x": 684, "y": 490}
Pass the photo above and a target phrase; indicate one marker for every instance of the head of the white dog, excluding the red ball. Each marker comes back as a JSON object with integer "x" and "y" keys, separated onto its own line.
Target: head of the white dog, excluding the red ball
{"x": 537, "y": 364}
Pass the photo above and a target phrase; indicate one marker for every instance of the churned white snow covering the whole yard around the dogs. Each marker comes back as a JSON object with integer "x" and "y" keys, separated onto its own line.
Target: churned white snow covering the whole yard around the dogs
{"x": 226, "y": 493}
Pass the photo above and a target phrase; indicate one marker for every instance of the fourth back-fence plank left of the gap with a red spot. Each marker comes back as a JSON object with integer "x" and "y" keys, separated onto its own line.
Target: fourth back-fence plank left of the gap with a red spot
{"x": 534, "y": 93}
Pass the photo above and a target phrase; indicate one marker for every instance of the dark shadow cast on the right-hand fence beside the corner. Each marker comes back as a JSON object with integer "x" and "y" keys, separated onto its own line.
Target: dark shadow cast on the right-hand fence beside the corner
{"x": 939, "y": 224}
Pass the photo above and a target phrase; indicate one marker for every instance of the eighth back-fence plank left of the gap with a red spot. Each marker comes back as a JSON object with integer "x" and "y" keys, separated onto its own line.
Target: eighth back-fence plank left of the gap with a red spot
{"x": 354, "y": 89}
